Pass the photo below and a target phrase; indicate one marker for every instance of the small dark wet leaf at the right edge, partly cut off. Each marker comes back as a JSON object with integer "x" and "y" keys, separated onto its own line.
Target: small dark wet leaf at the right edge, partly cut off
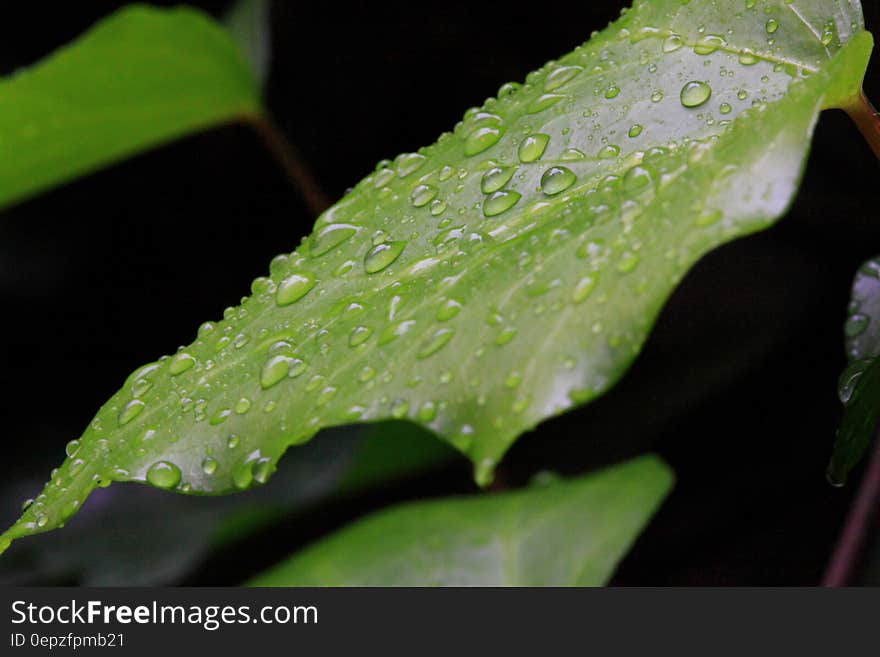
{"x": 859, "y": 385}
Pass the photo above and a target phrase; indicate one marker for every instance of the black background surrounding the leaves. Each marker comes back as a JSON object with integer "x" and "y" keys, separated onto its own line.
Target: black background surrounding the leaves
{"x": 736, "y": 387}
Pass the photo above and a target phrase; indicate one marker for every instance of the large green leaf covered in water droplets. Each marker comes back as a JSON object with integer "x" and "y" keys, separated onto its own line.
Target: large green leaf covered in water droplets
{"x": 508, "y": 272}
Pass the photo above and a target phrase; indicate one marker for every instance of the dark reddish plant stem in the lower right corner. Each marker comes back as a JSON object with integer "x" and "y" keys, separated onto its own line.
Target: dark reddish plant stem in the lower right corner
{"x": 855, "y": 531}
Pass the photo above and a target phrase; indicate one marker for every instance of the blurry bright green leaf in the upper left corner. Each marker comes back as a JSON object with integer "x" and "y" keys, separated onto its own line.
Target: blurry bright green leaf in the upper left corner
{"x": 137, "y": 79}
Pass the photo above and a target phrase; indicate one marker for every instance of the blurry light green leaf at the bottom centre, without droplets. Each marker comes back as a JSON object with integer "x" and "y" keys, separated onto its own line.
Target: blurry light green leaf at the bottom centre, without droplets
{"x": 570, "y": 533}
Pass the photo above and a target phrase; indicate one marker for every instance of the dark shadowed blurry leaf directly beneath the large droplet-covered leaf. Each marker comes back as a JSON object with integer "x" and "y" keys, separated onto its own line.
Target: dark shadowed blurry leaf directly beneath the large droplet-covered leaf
{"x": 139, "y": 536}
